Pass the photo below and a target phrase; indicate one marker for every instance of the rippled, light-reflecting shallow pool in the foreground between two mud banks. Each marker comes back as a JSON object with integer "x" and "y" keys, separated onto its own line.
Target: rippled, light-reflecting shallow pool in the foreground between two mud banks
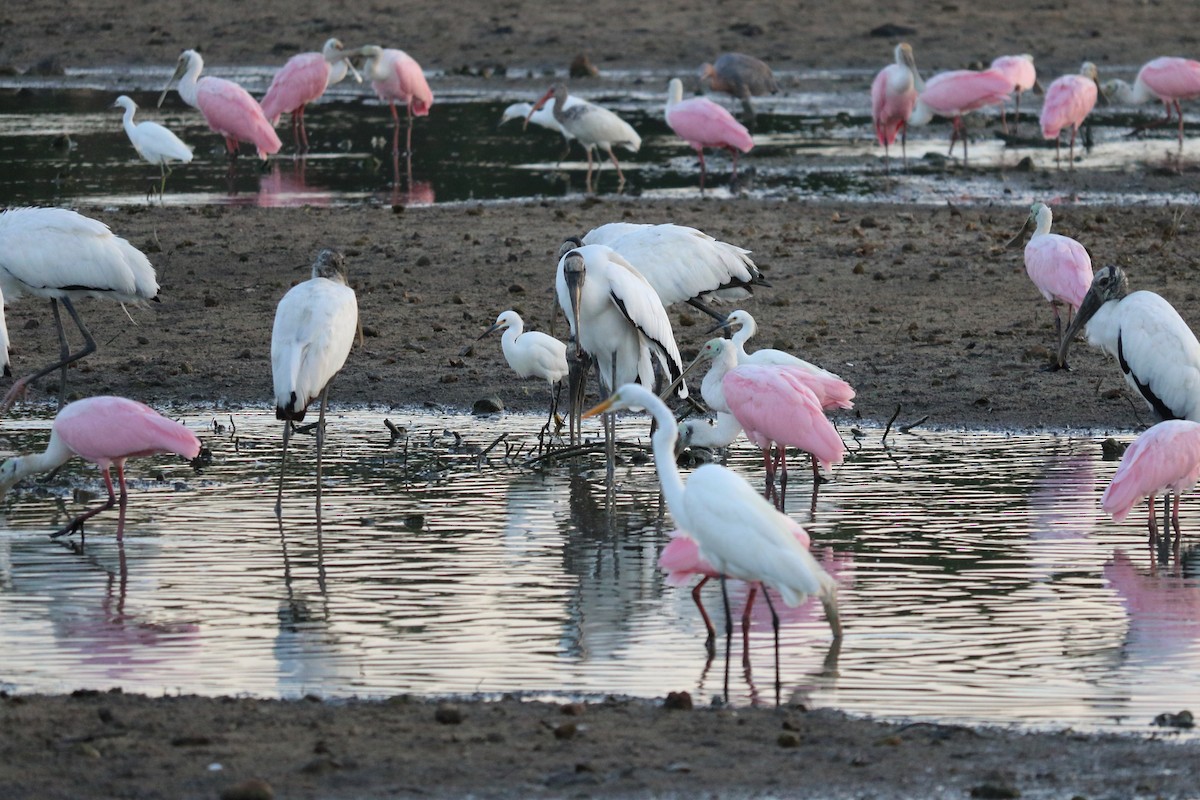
{"x": 980, "y": 582}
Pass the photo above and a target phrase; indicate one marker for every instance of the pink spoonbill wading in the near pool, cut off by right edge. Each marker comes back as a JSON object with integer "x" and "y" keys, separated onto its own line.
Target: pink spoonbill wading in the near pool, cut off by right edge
{"x": 1163, "y": 459}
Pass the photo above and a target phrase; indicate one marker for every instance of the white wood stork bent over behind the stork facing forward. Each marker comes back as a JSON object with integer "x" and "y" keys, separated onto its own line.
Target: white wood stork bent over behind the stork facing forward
{"x": 683, "y": 264}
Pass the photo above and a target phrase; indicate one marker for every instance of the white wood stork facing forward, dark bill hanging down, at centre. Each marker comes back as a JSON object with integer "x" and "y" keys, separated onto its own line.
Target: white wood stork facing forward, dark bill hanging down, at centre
{"x": 619, "y": 321}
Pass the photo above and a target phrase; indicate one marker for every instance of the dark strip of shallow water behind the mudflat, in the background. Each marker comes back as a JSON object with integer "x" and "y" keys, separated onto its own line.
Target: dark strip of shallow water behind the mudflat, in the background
{"x": 62, "y": 143}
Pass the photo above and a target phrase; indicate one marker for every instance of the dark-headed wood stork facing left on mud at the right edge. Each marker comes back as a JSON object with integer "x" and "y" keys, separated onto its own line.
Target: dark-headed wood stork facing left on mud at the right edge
{"x": 1155, "y": 348}
